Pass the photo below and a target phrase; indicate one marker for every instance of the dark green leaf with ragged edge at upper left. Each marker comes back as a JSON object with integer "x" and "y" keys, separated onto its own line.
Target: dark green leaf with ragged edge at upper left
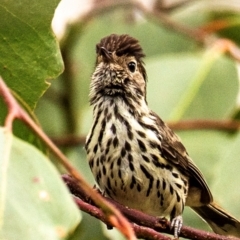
{"x": 29, "y": 51}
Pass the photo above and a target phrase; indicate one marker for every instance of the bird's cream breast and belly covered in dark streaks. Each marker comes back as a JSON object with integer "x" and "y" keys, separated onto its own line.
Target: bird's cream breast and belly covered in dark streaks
{"x": 125, "y": 158}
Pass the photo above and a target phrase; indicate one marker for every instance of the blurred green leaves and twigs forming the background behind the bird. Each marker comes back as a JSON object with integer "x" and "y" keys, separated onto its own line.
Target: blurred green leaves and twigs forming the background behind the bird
{"x": 190, "y": 78}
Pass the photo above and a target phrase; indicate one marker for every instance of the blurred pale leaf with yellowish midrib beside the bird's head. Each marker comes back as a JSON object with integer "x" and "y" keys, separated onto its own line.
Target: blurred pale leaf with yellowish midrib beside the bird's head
{"x": 192, "y": 86}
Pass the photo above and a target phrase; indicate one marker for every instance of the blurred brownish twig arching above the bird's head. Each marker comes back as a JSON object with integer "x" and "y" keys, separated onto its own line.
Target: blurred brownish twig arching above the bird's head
{"x": 154, "y": 15}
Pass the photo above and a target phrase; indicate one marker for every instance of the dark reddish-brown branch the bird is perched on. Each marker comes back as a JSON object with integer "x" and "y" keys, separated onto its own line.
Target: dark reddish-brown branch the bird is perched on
{"x": 146, "y": 224}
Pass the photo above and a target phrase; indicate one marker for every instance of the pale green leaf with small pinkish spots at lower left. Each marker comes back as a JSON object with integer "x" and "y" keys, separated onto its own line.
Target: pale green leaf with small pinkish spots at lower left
{"x": 34, "y": 202}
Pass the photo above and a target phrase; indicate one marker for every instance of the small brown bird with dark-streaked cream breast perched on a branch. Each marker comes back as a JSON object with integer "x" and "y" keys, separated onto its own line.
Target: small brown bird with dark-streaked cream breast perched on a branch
{"x": 135, "y": 157}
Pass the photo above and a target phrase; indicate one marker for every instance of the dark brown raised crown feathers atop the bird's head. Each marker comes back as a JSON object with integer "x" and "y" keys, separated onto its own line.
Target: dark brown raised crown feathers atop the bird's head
{"x": 123, "y": 45}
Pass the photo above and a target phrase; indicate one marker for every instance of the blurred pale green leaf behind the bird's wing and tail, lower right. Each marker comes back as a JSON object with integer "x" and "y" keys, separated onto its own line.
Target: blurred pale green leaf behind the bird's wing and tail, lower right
{"x": 210, "y": 152}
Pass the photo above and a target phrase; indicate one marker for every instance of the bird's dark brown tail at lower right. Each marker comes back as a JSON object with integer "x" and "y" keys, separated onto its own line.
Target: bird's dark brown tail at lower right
{"x": 220, "y": 221}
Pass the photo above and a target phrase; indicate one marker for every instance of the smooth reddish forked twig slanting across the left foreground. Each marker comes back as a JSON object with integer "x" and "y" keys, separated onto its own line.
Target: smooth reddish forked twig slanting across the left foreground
{"x": 15, "y": 111}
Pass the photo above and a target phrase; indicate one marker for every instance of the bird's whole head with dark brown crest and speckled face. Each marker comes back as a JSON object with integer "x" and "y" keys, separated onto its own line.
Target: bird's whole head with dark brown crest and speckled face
{"x": 119, "y": 71}
